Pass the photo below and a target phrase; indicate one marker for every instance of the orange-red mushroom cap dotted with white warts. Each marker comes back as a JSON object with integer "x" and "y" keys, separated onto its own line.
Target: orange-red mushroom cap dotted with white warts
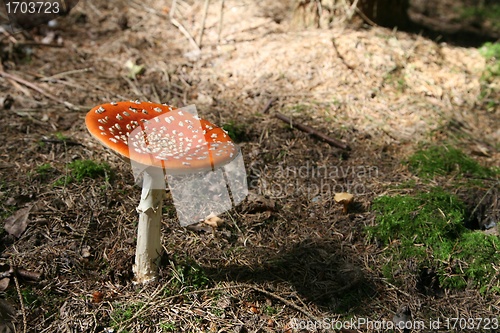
{"x": 160, "y": 135}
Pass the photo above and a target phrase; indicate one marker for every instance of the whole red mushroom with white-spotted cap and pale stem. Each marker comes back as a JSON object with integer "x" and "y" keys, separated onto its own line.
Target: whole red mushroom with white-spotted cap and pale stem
{"x": 159, "y": 139}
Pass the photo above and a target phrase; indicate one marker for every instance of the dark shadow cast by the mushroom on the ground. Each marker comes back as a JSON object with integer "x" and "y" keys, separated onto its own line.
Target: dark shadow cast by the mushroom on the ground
{"x": 320, "y": 271}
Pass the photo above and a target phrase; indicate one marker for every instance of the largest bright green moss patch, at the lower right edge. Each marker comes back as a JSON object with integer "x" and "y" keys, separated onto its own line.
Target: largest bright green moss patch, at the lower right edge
{"x": 429, "y": 228}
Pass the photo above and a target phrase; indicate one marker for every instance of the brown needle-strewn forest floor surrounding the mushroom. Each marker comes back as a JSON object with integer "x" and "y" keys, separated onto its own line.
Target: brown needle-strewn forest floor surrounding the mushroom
{"x": 288, "y": 251}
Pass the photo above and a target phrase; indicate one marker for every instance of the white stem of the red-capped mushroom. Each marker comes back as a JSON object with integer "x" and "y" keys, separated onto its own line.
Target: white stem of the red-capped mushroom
{"x": 149, "y": 247}
